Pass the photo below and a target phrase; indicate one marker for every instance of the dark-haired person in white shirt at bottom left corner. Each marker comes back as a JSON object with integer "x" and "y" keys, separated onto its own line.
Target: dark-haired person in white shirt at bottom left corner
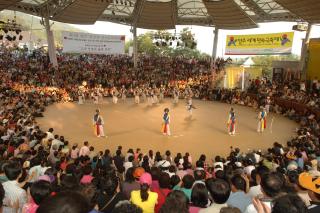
{"x": 13, "y": 192}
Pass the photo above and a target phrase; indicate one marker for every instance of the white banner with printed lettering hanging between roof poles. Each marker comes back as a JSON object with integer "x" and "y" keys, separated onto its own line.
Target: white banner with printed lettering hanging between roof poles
{"x": 75, "y": 42}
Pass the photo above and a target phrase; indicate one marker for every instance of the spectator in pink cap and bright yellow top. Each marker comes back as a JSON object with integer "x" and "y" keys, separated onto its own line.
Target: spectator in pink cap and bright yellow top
{"x": 144, "y": 198}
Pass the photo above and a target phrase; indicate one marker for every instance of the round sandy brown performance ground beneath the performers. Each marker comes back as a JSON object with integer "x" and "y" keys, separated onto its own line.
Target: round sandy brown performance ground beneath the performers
{"x": 133, "y": 126}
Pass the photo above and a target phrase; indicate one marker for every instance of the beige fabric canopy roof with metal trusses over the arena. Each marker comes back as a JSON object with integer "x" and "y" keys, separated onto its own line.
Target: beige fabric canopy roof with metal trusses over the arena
{"x": 165, "y": 14}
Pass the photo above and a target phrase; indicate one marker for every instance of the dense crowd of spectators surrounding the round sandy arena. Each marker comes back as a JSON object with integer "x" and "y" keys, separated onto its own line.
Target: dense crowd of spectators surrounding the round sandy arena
{"x": 42, "y": 172}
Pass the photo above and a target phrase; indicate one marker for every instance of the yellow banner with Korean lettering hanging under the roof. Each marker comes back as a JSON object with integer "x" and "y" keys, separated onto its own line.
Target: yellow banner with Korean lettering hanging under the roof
{"x": 259, "y": 44}
